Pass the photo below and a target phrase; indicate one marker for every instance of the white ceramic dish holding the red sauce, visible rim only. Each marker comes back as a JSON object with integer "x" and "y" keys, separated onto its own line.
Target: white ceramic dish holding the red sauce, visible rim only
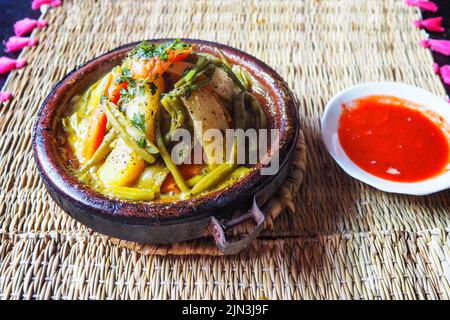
{"x": 419, "y": 96}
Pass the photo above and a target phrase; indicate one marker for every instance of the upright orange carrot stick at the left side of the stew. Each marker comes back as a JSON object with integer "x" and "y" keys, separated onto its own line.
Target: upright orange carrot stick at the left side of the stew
{"x": 96, "y": 131}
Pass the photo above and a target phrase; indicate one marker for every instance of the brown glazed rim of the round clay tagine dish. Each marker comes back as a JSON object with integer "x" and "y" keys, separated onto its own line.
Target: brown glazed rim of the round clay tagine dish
{"x": 58, "y": 178}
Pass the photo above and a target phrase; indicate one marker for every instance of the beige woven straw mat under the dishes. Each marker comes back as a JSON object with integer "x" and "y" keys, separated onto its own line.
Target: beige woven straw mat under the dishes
{"x": 343, "y": 239}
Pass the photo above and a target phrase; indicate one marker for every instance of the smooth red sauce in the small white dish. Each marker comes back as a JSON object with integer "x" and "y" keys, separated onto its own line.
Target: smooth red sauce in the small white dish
{"x": 391, "y": 139}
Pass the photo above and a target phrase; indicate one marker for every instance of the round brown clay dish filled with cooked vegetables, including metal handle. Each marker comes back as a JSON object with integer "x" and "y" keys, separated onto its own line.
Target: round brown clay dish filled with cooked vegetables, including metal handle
{"x": 158, "y": 141}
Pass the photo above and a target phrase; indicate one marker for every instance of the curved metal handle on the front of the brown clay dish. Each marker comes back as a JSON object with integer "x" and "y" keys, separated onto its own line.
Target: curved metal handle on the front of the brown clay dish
{"x": 216, "y": 229}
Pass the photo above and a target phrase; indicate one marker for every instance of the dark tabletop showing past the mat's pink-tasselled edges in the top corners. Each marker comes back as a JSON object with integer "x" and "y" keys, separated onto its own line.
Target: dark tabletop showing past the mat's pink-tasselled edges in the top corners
{"x": 13, "y": 10}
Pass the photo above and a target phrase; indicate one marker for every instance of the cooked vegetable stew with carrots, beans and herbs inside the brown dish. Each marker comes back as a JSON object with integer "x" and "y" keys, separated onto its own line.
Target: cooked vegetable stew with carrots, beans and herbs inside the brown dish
{"x": 120, "y": 132}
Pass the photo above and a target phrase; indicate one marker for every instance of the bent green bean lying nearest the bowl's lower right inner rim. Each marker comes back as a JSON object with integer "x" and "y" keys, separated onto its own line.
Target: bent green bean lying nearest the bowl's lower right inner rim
{"x": 218, "y": 174}
